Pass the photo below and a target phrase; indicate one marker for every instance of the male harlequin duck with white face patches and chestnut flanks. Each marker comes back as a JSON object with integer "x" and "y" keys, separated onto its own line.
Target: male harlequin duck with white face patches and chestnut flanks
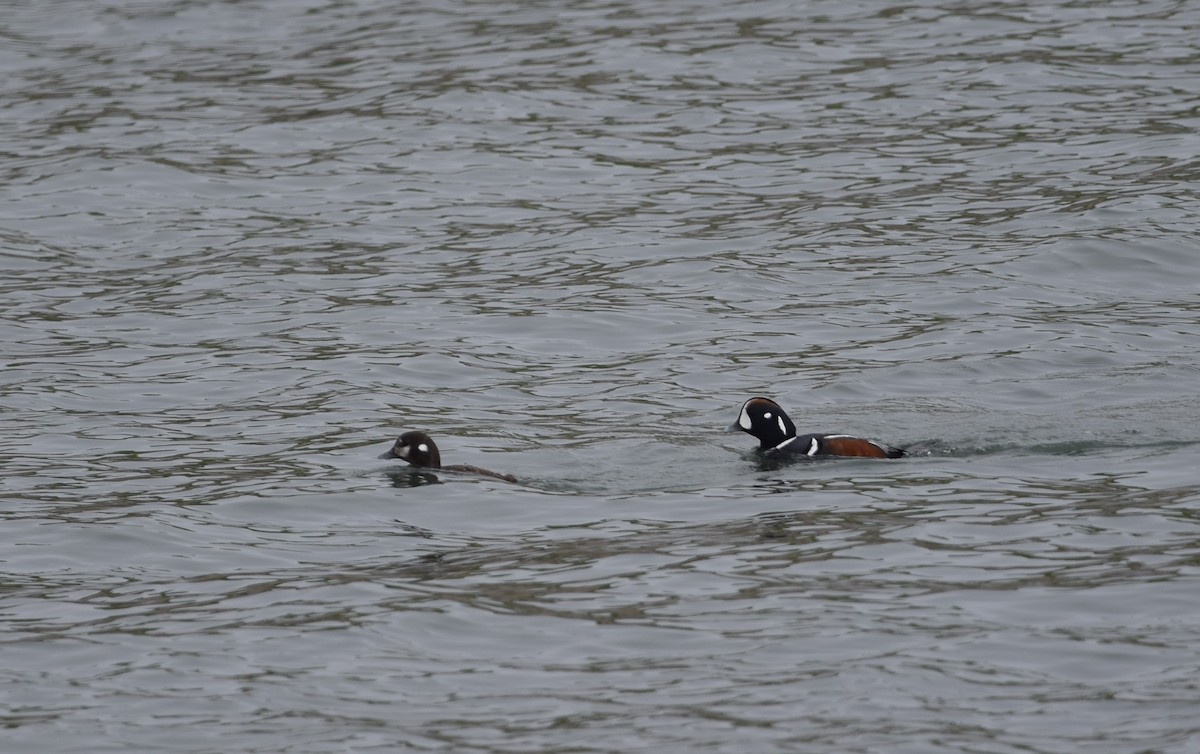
{"x": 765, "y": 420}
